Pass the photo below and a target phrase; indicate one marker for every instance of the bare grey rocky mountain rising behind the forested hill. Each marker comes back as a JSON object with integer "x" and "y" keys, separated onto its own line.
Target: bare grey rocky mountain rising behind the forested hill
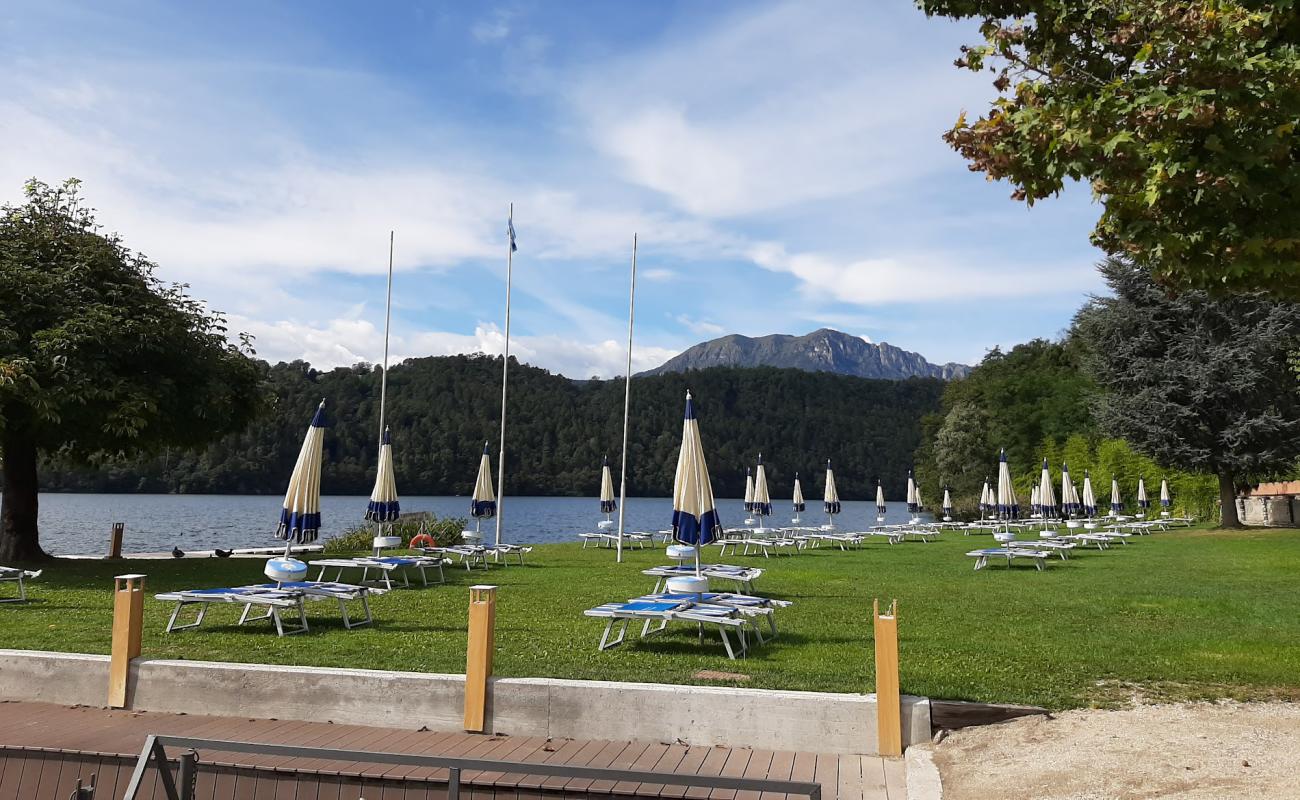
{"x": 824, "y": 351}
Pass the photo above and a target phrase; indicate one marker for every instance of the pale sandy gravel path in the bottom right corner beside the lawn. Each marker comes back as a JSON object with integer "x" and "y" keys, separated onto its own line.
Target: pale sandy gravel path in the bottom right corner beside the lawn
{"x": 1199, "y": 751}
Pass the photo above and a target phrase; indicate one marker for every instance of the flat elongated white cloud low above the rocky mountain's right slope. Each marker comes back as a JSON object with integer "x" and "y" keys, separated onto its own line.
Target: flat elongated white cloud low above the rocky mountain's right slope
{"x": 920, "y": 278}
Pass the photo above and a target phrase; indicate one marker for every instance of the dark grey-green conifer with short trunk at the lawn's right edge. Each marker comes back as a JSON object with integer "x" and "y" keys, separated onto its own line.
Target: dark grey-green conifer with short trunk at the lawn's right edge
{"x": 1197, "y": 382}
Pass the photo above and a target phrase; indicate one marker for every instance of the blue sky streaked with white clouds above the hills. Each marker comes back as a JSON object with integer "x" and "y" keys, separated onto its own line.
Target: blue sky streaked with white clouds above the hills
{"x": 781, "y": 162}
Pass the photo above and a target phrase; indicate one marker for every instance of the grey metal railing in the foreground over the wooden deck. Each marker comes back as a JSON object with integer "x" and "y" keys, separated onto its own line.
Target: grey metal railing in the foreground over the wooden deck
{"x": 181, "y": 788}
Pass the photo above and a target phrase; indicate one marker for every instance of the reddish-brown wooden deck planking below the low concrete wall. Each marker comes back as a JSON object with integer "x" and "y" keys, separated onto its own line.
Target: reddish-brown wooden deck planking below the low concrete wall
{"x": 110, "y": 741}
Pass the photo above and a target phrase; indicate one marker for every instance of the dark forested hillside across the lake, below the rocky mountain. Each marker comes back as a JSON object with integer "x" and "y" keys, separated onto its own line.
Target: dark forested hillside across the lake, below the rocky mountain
{"x": 443, "y": 410}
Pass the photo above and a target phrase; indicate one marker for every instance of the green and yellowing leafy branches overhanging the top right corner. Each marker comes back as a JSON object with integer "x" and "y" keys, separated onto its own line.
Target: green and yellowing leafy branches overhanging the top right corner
{"x": 1182, "y": 115}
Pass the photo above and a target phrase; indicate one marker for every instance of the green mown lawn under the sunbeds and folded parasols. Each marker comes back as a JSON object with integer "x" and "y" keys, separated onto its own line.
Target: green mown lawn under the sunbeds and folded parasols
{"x": 1180, "y": 615}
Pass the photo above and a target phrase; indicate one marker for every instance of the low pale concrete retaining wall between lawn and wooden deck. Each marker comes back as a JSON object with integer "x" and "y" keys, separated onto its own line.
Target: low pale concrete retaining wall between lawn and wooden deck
{"x": 523, "y": 707}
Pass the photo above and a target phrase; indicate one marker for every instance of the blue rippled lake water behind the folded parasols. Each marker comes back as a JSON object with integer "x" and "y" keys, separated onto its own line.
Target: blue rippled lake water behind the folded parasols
{"x": 80, "y": 524}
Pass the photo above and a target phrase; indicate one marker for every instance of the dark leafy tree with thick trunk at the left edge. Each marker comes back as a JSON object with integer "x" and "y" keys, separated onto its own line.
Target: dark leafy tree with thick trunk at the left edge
{"x": 98, "y": 357}
